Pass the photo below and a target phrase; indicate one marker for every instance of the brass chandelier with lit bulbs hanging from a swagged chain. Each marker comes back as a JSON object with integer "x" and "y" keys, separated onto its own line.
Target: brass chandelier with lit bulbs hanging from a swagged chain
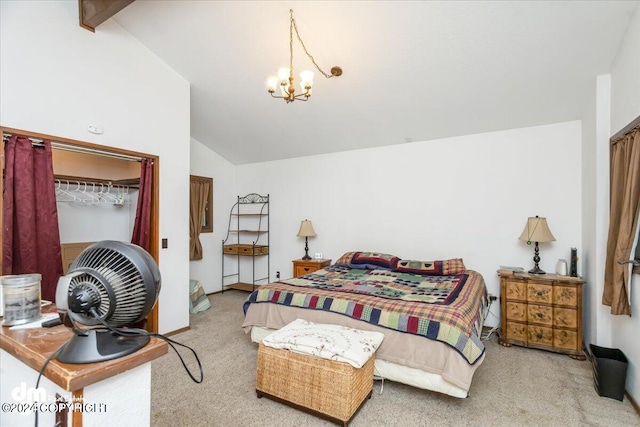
{"x": 285, "y": 77}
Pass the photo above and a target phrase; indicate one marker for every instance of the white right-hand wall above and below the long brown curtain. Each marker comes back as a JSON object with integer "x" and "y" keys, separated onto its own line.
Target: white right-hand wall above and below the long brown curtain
{"x": 625, "y": 107}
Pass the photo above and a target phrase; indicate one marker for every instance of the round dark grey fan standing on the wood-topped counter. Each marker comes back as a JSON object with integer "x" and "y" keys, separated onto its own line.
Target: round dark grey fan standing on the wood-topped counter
{"x": 109, "y": 285}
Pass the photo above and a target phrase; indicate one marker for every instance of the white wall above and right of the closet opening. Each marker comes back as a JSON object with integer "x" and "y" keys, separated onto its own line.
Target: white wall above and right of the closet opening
{"x": 56, "y": 78}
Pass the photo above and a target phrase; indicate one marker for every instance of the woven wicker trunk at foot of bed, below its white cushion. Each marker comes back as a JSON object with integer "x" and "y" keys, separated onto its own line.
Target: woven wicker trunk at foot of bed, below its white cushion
{"x": 326, "y": 388}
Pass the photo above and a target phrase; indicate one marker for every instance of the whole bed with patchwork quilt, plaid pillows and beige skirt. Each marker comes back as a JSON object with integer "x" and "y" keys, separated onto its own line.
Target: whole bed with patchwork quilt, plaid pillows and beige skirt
{"x": 430, "y": 313}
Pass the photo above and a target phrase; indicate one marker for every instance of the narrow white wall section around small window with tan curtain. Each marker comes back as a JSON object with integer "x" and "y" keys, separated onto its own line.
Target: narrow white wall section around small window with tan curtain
{"x": 205, "y": 162}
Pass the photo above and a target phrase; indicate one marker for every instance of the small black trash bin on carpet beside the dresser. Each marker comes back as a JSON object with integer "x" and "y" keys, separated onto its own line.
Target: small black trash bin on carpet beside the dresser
{"x": 609, "y": 371}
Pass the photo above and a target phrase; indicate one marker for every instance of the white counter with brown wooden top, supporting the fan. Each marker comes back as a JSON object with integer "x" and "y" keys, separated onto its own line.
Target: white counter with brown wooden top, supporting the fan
{"x": 24, "y": 351}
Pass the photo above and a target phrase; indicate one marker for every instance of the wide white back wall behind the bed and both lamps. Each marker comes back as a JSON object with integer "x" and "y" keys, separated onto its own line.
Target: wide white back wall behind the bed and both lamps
{"x": 463, "y": 197}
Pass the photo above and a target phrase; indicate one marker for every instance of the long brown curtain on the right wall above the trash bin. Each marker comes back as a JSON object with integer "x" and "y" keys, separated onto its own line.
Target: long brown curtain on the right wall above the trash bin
{"x": 623, "y": 220}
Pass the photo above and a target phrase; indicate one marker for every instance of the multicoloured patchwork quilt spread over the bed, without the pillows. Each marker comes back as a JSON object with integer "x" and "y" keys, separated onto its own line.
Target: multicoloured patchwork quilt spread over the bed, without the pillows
{"x": 442, "y": 308}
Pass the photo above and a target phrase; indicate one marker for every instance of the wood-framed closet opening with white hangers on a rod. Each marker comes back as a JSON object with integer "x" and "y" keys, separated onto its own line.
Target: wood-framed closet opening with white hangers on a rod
{"x": 96, "y": 195}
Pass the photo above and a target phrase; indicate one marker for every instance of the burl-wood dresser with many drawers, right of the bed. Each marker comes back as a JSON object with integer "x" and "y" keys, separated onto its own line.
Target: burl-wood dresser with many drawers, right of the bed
{"x": 542, "y": 311}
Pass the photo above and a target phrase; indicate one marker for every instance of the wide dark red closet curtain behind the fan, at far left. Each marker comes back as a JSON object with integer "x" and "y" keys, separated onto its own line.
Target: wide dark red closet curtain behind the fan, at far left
{"x": 31, "y": 238}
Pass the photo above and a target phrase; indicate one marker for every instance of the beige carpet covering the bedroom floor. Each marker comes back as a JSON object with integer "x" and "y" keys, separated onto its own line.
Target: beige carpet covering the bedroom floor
{"x": 513, "y": 387}
